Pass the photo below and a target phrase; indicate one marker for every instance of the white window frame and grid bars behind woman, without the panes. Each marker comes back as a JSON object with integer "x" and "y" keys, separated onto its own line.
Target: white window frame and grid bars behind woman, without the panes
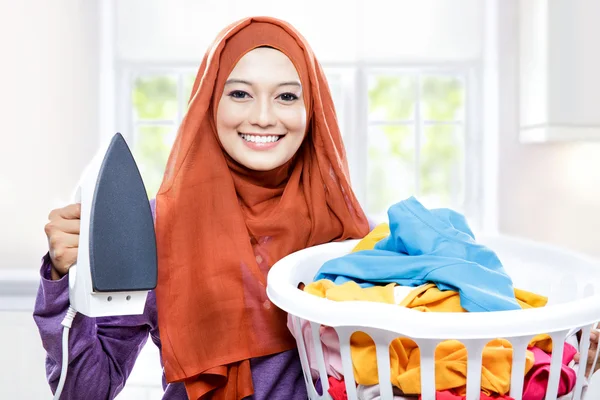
{"x": 349, "y": 86}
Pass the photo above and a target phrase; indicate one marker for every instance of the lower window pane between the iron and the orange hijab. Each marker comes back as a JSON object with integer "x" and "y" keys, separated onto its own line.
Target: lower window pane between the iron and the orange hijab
{"x": 151, "y": 151}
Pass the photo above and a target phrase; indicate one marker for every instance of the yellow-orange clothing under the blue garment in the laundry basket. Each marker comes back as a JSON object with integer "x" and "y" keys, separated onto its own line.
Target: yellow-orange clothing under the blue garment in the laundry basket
{"x": 450, "y": 355}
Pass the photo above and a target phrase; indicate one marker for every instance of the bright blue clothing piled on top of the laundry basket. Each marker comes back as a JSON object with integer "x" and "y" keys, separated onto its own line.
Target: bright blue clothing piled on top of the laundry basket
{"x": 429, "y": 246}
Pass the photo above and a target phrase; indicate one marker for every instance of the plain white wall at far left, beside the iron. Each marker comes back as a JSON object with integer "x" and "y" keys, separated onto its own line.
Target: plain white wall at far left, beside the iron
{"x": 49, "y": 122}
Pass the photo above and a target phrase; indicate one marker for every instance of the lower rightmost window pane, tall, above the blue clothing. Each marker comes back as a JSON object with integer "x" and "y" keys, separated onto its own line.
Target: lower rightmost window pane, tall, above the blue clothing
{"x": 442, "y": 166}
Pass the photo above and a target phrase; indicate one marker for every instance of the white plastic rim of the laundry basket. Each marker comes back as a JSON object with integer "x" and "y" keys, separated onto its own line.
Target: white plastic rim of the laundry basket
{"x": 553, "y": 319}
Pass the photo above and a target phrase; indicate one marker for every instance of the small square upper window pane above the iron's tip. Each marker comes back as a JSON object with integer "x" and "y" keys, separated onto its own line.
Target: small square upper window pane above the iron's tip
{"x": 155, "y": 97}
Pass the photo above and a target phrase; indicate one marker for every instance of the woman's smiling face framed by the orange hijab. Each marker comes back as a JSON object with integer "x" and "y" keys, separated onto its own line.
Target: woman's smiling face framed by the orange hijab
{"x": 261, "y": 117}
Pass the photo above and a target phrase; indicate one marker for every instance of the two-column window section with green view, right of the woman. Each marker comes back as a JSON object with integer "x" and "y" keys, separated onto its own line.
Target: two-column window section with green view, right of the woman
{"x": 415, "y": 138}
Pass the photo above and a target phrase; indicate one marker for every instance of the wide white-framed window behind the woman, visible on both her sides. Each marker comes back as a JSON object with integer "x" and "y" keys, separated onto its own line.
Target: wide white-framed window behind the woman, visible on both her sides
{"x": 407, "y": 131}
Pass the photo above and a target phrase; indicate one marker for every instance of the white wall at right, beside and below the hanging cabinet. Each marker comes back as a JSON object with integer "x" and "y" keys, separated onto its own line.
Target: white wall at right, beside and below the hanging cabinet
{"x": 548, "y": 192}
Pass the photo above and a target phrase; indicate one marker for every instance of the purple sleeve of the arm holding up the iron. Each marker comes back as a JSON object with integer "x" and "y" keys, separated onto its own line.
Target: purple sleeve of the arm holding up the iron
{"x": 102, "y": 351}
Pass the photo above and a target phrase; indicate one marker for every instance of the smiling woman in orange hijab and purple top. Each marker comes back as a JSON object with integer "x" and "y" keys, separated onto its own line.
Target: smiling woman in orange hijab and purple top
{"x": 258, "y": 171}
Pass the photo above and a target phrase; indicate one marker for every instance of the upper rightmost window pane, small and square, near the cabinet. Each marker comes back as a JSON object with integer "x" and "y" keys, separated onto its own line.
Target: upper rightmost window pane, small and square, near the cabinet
{"x": 442, "y": 98}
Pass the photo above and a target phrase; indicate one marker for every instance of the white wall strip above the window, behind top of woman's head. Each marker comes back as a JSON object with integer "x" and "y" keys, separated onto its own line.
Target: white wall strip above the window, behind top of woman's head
{"x": 340, "y": 31}
